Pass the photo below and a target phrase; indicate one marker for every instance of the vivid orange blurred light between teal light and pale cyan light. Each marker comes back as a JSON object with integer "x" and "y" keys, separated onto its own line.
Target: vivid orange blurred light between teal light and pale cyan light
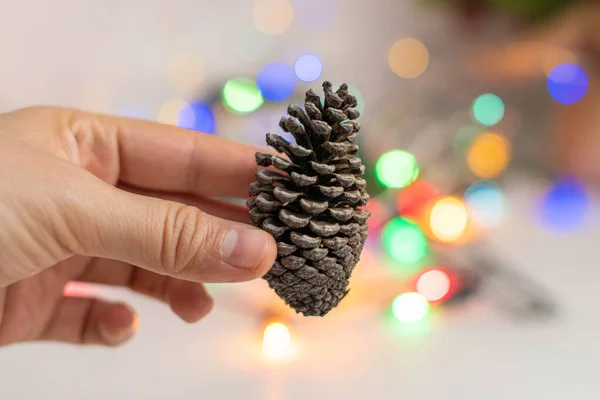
{"x": 488, "y": 155}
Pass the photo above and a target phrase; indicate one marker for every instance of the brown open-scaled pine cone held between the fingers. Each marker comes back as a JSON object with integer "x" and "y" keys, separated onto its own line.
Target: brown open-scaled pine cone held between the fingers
{"x": 309, "y": 202}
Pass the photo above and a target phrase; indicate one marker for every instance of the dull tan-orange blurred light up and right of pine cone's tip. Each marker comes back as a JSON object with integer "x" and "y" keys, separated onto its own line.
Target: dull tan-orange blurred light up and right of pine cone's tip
{"x": 408, "y": 58}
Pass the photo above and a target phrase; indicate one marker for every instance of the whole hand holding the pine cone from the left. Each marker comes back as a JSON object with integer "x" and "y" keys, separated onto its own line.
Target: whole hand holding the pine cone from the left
{"x": 92, "y": 198}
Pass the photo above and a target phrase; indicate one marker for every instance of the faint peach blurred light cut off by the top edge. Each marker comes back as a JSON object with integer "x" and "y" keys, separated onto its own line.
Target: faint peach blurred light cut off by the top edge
{"x": 273, "y": 17}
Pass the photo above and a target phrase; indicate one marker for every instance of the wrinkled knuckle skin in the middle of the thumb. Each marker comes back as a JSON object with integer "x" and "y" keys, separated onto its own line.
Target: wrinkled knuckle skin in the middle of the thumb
{"x": 186, "y": 240}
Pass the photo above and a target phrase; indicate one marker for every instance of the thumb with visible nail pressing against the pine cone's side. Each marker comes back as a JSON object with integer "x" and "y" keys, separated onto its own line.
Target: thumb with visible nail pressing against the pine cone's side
{"x": 165, "y": 237}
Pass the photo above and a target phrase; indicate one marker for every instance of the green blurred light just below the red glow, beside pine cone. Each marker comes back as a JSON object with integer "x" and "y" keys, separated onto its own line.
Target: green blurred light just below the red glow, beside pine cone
{"x": 404, "y": 241}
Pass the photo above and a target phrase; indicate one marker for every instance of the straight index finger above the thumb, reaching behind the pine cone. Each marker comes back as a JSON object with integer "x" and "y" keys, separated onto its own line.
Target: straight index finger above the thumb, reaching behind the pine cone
{"x": 162, "y": 157}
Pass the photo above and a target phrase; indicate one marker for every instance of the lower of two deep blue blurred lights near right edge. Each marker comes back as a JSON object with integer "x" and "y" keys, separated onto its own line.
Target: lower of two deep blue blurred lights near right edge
{"x": 565, "y": 206}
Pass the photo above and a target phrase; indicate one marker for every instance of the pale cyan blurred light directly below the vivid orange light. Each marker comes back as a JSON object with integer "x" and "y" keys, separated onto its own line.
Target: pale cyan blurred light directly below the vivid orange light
{"x": 486, "y": 204}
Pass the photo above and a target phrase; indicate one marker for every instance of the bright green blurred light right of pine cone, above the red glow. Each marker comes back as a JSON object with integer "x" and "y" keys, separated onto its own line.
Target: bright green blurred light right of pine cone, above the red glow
{"x": 396, "y": 169}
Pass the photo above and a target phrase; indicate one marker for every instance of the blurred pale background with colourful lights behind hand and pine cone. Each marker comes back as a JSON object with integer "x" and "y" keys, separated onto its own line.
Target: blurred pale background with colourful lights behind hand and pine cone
{"x": 481, "y": 136}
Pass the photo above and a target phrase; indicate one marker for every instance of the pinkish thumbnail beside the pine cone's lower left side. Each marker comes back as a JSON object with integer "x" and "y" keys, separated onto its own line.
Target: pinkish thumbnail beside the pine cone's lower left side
{"x": 244, "y": 248}
